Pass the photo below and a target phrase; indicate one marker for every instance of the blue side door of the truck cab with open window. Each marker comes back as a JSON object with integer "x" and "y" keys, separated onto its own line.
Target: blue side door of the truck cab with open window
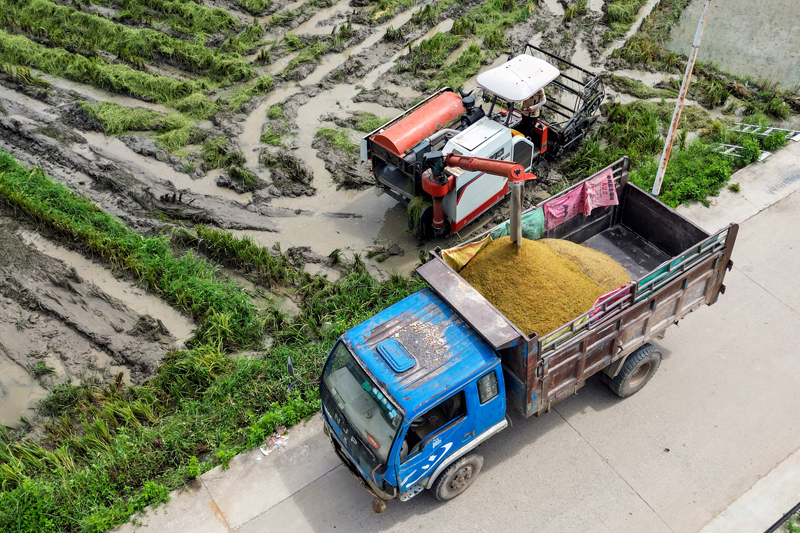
{"x": 433, "y": 436}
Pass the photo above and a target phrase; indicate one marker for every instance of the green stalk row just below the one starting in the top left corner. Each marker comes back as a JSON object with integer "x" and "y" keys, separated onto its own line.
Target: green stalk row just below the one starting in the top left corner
{"x": 21, "y": 51}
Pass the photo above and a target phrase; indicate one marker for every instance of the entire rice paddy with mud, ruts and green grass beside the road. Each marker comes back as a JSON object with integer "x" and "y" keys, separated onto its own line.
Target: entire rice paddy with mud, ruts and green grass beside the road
{"x": 182, "y": 208}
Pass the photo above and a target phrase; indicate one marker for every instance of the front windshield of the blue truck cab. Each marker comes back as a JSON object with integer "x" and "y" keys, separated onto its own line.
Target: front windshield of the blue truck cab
{"x": 367, "y": 409}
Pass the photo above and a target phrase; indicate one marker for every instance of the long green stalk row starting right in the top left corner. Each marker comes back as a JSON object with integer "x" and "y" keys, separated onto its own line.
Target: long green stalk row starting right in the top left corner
{"x": 83, "y": 33}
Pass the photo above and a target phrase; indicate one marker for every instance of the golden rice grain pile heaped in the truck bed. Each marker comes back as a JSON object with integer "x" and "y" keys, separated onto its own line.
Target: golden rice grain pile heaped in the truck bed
{"x": 543, "y": 284}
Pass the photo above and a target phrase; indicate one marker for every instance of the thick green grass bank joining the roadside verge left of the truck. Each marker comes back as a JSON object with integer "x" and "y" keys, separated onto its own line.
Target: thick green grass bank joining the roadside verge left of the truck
{"x": 108, "y": 451}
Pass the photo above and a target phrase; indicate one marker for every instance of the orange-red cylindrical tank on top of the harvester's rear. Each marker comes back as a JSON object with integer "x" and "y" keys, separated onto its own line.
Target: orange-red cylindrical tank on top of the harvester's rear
{"x": 422, "y": 123}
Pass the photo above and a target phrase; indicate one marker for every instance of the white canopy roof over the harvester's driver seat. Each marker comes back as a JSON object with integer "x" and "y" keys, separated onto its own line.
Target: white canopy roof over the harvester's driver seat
{"x": 519, "y": 78}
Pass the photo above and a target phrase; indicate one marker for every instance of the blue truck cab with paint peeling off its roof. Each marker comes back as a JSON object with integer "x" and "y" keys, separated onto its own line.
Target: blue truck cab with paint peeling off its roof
{"x": 409, "y": 391}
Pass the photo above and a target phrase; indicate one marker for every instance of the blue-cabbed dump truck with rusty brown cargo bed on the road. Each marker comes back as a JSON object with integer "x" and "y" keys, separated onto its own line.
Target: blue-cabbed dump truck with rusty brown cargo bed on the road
{"x": 409, "y": 395}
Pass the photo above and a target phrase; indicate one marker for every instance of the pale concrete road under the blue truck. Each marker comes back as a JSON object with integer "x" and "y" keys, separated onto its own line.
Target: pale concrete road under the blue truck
{"x": 720, "y": 414}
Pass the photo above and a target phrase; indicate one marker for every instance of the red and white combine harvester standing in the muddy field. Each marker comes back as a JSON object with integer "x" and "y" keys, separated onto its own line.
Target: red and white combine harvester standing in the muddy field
{"x": 448, "y": 125}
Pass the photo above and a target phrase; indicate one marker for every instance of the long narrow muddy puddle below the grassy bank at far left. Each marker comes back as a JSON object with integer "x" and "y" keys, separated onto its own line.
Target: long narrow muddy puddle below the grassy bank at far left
{"x": 135, "y": 298}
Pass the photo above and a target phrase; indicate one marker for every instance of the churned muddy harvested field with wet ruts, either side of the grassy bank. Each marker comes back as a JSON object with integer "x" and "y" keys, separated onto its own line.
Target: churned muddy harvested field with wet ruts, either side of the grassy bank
{"x": 259, "y": 138}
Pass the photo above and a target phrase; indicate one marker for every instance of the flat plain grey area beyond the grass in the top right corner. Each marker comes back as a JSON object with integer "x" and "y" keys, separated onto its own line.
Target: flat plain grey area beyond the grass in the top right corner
{"x": 758, "y": 38}
